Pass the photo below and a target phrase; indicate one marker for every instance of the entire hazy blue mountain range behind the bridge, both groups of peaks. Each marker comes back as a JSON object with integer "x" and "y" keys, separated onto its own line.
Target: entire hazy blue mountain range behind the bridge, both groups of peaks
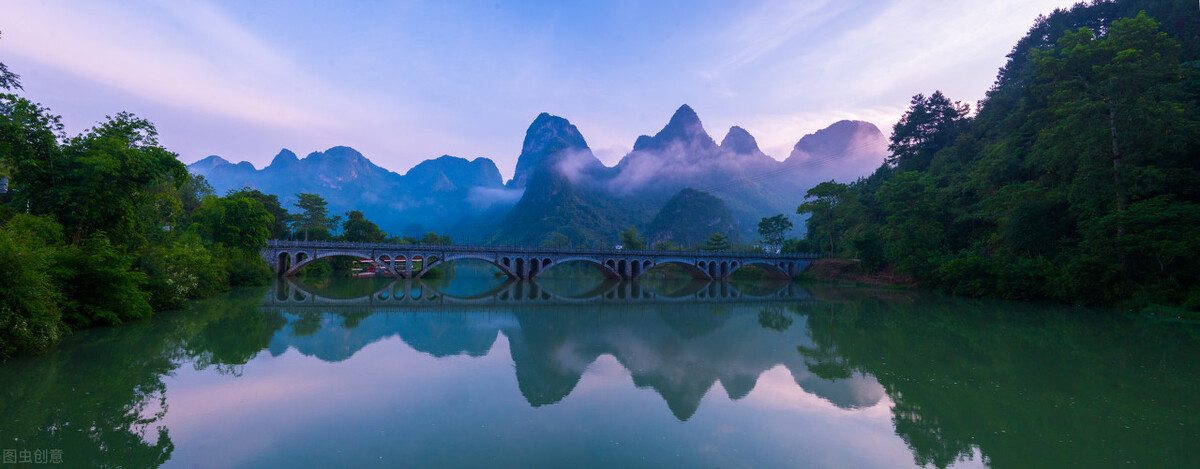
{"x": 562, "y": 194}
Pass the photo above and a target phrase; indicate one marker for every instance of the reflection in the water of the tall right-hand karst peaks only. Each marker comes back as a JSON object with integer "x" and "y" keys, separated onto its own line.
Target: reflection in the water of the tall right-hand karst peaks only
{"x": 553, "y": 352}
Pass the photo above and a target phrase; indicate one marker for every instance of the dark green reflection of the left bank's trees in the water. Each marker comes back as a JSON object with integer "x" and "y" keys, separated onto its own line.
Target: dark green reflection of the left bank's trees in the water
{"x": 100, "y": 396}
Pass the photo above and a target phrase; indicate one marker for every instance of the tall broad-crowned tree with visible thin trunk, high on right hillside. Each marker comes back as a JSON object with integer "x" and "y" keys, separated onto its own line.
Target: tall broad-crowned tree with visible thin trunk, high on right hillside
{"x": 1117, "y": 97}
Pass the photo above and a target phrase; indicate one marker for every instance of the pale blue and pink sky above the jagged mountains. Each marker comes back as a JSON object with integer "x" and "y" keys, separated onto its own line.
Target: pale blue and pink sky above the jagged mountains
{"x": 409, "y": 81}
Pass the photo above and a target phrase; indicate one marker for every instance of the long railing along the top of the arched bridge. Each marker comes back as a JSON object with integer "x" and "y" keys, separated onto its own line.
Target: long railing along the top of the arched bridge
{"x": 532, "y": 250}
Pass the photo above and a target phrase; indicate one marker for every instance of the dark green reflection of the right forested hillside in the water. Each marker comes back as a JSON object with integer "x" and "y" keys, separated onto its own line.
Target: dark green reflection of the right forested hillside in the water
{"x": 1027, "y": 386}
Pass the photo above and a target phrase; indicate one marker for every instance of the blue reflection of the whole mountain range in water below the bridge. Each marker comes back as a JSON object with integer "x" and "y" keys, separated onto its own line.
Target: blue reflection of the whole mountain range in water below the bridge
{"x": 679, "y": 346}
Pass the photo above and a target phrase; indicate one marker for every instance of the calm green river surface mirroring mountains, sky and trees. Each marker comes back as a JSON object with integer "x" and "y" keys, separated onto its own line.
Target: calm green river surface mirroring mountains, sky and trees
{"x": 481, "y": 372}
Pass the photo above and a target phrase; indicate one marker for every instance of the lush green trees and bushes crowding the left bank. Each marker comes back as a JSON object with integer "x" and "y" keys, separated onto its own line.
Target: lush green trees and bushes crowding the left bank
{"x": 107, "y": 227}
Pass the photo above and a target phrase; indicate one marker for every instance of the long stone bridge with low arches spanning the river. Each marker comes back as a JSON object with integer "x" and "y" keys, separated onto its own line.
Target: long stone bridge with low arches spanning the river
{"x": 415, "y": 261}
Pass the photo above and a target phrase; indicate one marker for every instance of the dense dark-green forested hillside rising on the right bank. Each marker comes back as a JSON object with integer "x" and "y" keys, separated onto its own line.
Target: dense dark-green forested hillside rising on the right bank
{"x": 1077, "y": 181}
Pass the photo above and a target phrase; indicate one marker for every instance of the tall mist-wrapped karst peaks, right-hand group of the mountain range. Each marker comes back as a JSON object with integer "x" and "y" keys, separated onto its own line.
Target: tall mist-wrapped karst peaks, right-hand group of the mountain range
{"x": 580, "y": 199}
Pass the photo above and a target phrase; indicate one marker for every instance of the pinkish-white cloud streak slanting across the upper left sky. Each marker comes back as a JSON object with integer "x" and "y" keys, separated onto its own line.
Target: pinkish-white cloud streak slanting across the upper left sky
{"x": 185, "y": 55}
